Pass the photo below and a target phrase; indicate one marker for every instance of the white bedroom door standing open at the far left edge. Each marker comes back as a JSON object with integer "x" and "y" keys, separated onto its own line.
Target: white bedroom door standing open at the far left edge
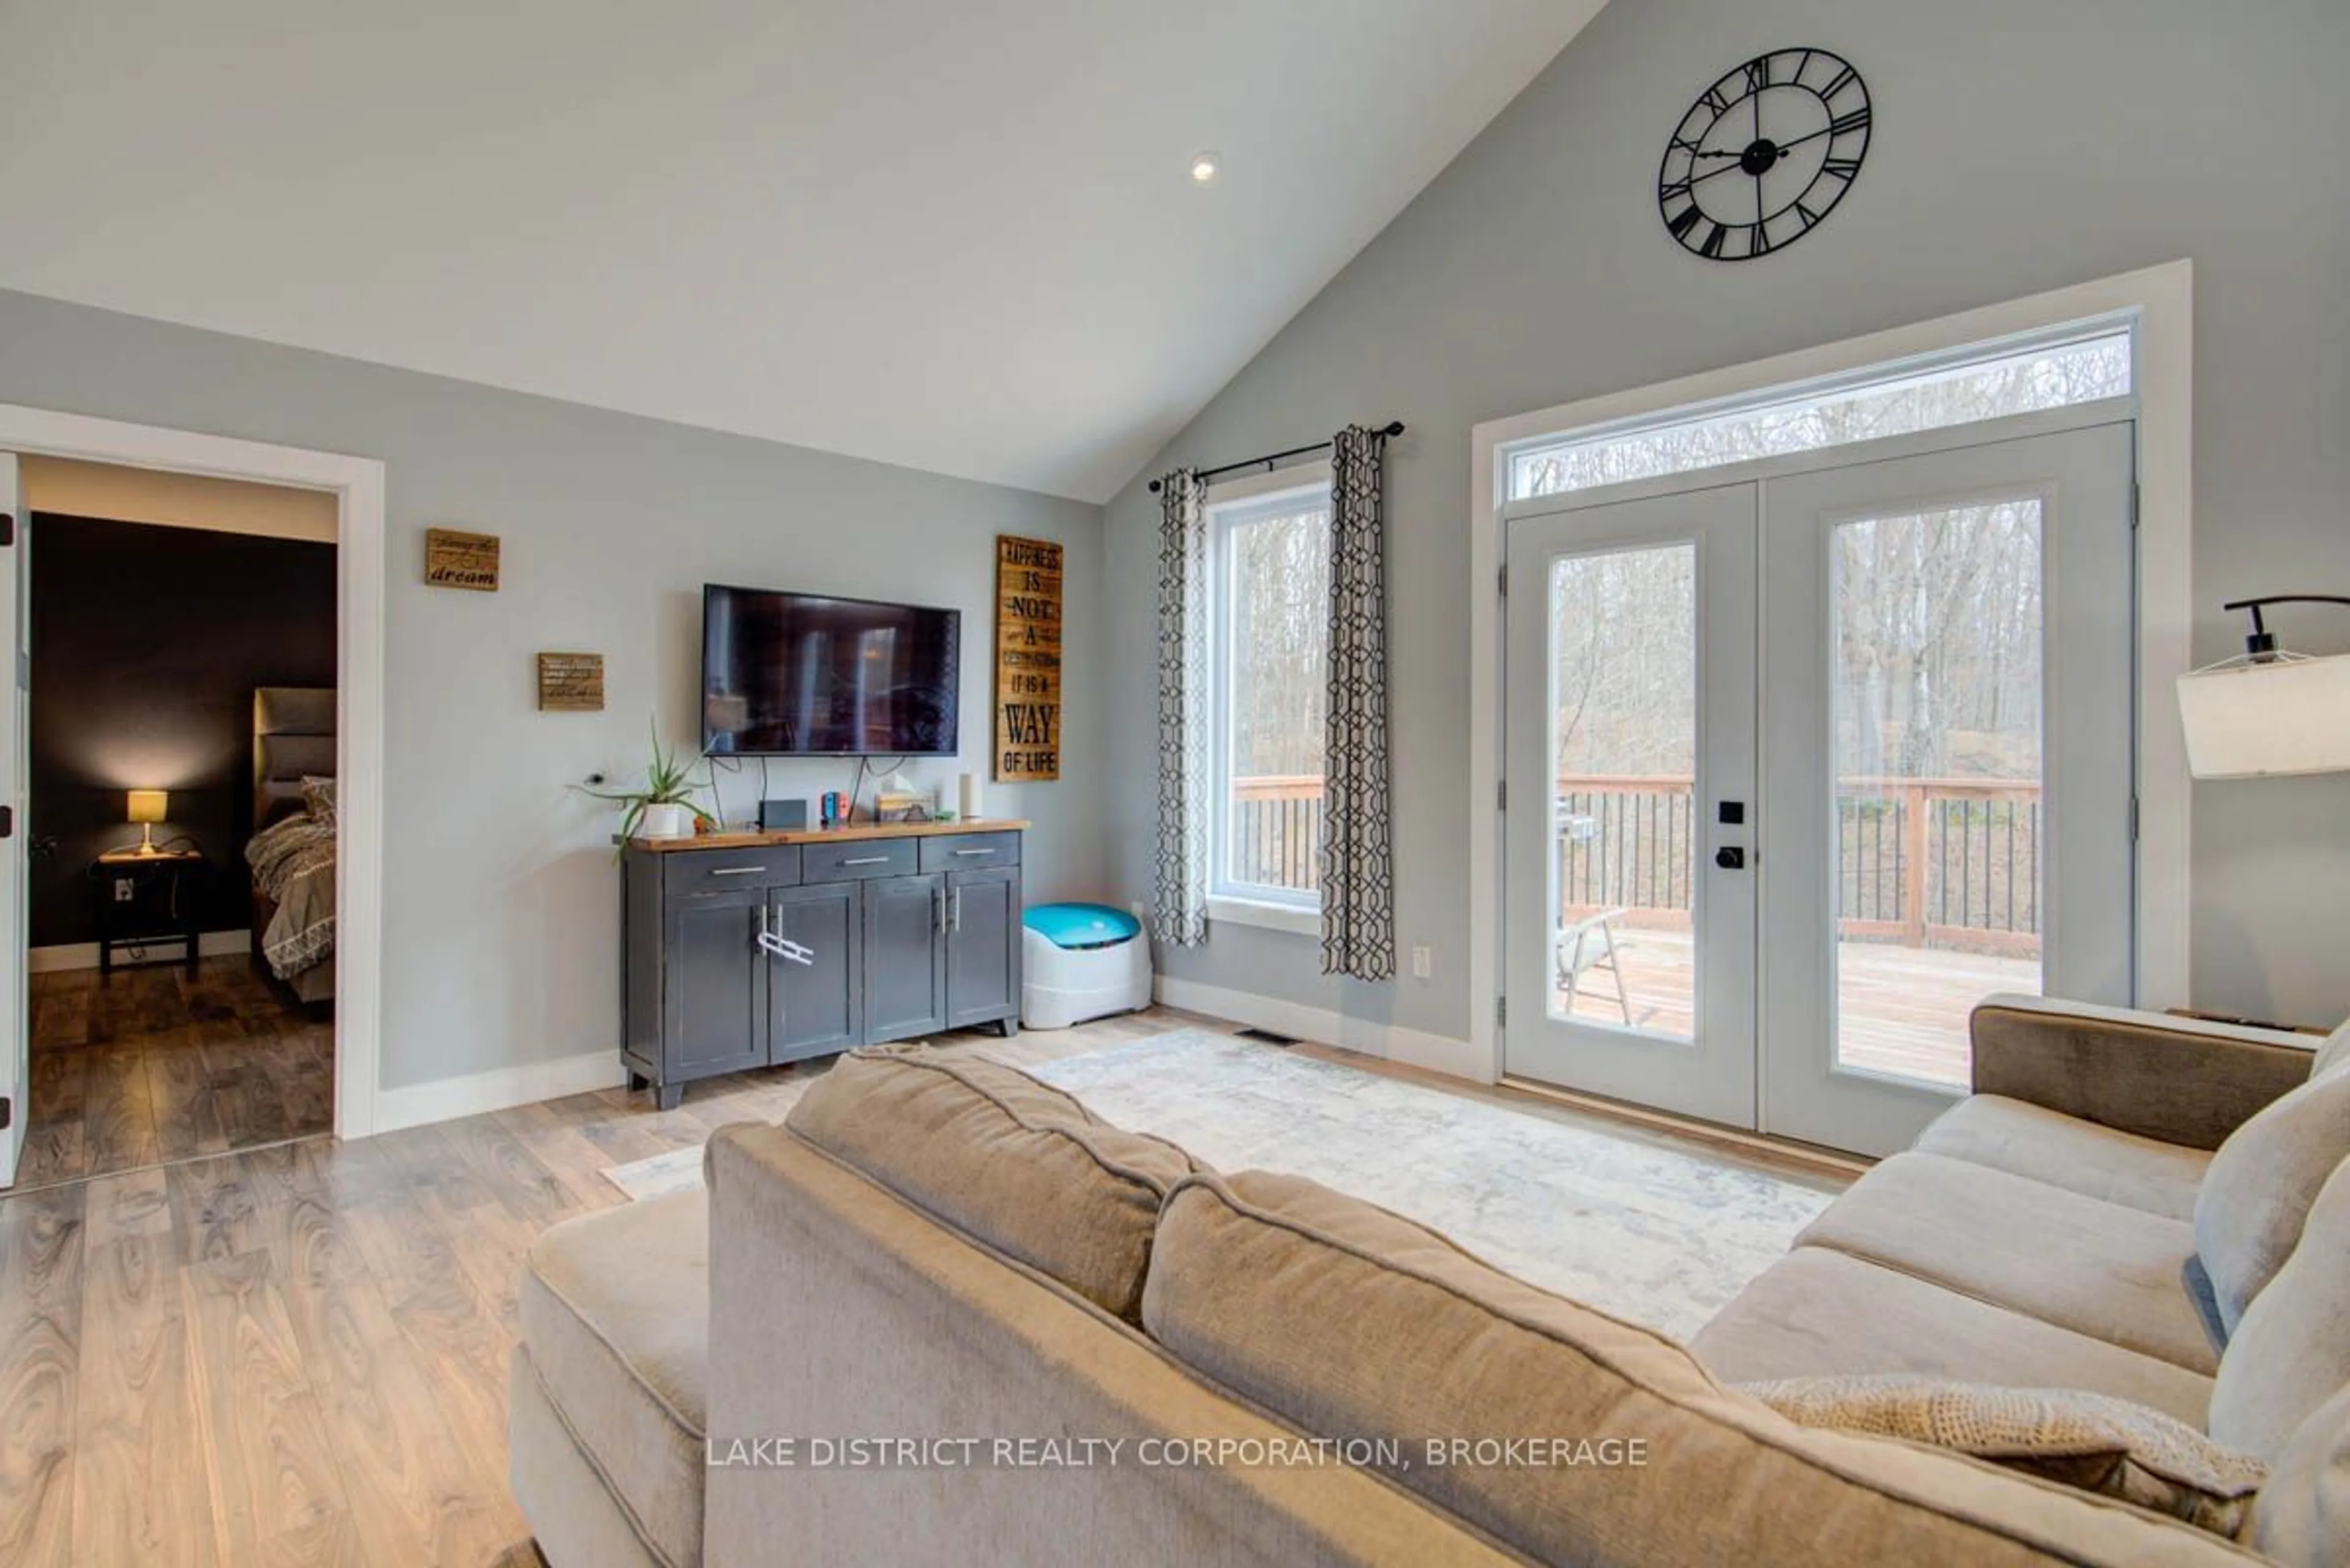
{"x": 15, "y": 1014}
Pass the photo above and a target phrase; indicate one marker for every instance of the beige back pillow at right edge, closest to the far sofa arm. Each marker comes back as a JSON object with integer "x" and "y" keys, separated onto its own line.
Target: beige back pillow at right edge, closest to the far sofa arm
{"x": 2262, "y": 1186}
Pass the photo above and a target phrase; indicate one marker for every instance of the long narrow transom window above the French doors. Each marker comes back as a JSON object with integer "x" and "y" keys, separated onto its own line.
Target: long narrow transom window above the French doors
{"x": 1985, "y": 382}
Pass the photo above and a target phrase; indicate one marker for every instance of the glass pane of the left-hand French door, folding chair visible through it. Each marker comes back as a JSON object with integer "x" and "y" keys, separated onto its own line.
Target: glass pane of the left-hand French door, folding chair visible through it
{"x": 1625, "y": 749}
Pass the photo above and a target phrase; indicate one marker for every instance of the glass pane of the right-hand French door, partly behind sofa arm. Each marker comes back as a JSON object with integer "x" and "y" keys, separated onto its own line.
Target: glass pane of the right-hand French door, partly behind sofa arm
{"x": 1938, "y": 779}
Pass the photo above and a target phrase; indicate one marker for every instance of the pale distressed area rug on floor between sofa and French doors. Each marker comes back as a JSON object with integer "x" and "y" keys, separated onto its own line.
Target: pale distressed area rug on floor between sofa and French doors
{"x": 1646, "y": 1233}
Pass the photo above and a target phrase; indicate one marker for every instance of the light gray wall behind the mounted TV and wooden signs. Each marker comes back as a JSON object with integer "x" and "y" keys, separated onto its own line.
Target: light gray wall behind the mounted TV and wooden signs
{"x": 502, "y": 902}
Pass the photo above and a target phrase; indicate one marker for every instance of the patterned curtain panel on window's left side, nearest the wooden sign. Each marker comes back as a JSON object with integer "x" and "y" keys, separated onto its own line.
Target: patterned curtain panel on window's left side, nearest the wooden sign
{"x": 1181, "y": 892}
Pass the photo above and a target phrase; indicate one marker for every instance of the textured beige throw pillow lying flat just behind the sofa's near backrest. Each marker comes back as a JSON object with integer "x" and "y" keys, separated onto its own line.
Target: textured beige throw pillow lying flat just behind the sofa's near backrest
{"x": 2090, "y": 1442}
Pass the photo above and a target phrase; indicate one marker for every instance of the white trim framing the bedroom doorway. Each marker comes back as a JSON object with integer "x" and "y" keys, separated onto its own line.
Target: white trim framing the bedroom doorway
{"x": 361, "y": 575}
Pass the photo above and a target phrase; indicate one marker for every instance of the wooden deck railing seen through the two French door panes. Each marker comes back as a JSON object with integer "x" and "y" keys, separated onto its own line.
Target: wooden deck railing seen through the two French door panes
{"x": 1921, "y": 862}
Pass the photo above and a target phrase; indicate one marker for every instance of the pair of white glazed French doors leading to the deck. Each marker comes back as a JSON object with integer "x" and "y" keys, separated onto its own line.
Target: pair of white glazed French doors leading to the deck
{"x": 1804, "y": 765}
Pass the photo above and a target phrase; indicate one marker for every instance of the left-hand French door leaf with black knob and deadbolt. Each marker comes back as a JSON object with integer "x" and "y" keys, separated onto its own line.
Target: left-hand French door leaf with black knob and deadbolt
{"x": 1632, "y": 732}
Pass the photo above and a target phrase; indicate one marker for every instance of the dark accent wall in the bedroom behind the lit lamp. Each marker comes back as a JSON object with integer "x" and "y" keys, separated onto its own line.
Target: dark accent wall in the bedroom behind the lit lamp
{"x": 147, "y": 650}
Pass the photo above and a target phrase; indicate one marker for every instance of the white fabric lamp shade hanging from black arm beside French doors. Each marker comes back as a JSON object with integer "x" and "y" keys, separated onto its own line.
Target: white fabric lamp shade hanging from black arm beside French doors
{"x": 2269, "y": 721}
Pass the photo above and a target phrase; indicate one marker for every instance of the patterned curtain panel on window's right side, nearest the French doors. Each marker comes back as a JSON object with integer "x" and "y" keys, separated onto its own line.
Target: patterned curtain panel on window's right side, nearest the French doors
{"x": 1359, "y": 887}
